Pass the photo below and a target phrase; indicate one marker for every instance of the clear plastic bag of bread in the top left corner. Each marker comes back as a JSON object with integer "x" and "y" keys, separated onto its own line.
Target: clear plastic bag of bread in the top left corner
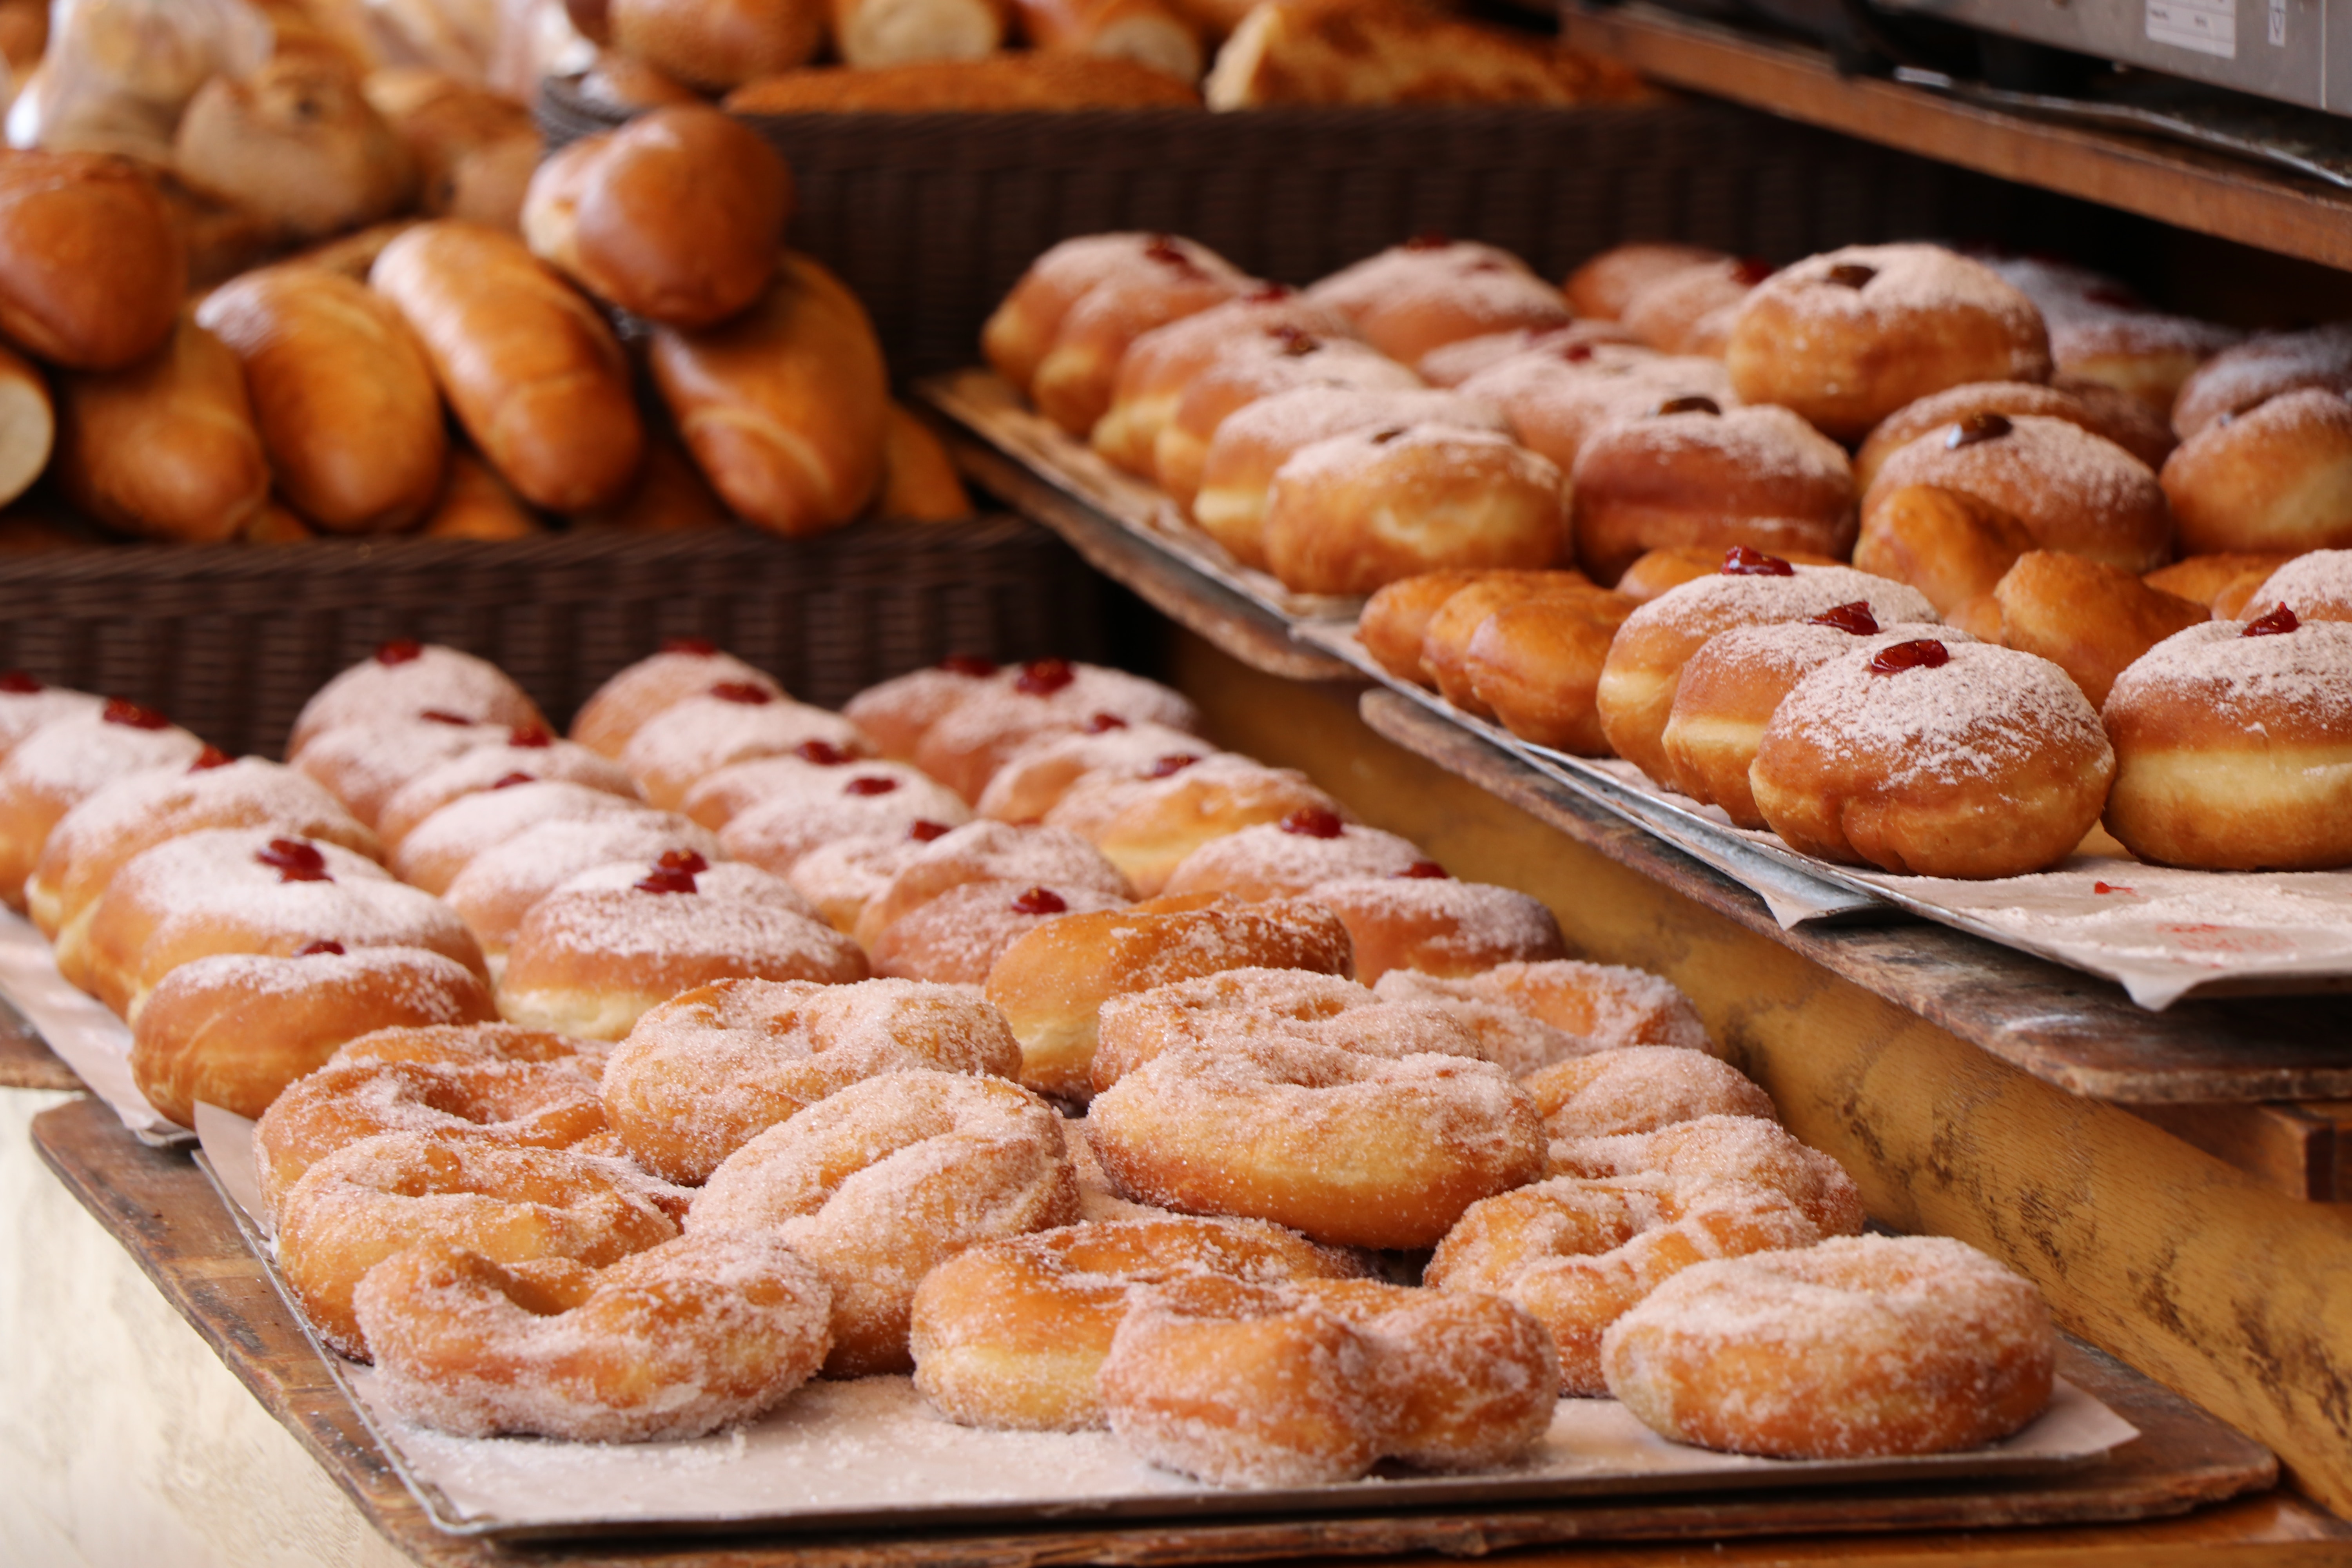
{"x": 121, "y": 72}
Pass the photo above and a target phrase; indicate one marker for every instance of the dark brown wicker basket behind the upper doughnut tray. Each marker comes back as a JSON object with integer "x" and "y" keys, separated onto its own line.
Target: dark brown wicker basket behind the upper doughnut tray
{"x": 933, "y": 217}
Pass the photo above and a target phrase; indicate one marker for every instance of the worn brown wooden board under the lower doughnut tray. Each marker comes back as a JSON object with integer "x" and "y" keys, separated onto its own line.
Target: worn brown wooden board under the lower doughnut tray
{"x": 168, "y": 1217}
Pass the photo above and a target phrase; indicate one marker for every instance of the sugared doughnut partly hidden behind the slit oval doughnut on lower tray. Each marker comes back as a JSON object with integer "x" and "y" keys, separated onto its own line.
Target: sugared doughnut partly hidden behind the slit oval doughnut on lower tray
{"x": 709, "y": 1071}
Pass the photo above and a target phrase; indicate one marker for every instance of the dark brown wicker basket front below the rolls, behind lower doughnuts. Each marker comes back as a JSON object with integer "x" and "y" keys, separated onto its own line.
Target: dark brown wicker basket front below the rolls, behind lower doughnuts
{"x": 234, "y": 641}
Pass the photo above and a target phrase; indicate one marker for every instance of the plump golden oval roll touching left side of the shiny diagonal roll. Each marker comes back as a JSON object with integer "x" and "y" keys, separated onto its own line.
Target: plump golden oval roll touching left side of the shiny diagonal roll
{"x": 342, "y": 391}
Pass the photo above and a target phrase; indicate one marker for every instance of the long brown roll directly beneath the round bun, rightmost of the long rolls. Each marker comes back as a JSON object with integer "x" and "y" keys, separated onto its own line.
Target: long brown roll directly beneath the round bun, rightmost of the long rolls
{"x": 784, "y": 406}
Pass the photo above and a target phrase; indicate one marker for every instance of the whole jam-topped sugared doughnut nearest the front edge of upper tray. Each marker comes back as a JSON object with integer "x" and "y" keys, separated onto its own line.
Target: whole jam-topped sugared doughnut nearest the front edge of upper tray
{"x": 1935, "y": 760}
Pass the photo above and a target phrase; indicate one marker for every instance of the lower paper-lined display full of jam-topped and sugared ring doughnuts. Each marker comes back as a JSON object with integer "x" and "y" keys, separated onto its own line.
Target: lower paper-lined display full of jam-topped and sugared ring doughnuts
{"x": 989, "y": 1059}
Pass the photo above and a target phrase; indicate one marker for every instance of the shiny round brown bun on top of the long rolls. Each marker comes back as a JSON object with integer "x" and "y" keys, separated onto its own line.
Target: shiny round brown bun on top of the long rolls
{"x": 674, "y": 217}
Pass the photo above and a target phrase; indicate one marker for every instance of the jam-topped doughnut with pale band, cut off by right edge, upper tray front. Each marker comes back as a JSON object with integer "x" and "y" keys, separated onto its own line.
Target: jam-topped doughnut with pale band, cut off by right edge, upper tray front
{"x": 2236, "y": 746}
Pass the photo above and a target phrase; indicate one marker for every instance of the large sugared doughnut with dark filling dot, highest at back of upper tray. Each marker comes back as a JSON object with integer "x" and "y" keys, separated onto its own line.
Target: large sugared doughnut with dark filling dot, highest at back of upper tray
{"x": 1850, "y": 337}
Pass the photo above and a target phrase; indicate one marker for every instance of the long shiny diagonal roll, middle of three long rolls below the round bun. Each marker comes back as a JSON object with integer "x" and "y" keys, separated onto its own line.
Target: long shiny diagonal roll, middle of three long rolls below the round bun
{"x": 530, "y": 368}
